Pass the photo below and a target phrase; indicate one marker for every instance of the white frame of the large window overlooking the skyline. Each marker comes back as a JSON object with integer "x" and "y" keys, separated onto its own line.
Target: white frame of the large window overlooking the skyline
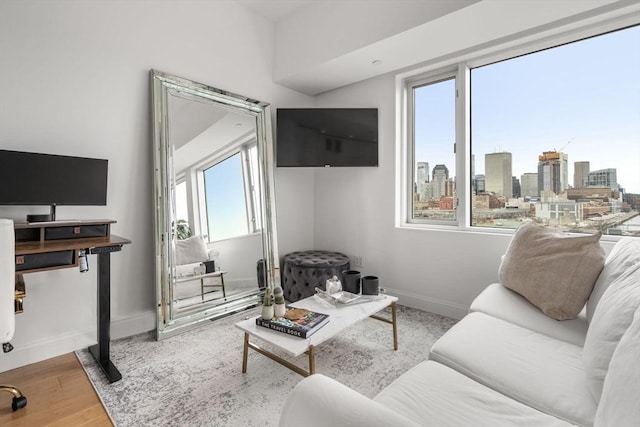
{"x": 461, "y": 66}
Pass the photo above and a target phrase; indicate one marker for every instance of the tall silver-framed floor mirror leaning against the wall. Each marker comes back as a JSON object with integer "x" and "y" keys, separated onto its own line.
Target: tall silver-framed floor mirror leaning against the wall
{"x": 215, "y": 226}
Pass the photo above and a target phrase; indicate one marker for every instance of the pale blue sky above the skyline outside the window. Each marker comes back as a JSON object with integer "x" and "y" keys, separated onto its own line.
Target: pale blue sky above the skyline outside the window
{"x": 582, "y": 98}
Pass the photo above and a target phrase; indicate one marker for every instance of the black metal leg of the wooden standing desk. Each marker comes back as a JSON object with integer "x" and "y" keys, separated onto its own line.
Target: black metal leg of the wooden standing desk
{"x": 100, "y": 351}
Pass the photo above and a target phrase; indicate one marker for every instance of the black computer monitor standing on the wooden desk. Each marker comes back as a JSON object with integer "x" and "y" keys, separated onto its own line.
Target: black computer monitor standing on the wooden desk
{"x": 48, "y": 179}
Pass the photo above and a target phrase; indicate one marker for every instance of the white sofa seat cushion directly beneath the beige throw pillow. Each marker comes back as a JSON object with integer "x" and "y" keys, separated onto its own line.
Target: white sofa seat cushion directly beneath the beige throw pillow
{"x": 503, "y": 303}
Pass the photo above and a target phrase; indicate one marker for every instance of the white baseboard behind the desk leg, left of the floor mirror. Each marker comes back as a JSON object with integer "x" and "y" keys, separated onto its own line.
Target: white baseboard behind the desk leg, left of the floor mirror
{"x": 63, "y": 344}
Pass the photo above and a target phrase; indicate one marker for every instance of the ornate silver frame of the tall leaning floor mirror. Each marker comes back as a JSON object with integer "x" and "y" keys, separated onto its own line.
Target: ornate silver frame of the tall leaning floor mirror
{"x": 161, "y": 84}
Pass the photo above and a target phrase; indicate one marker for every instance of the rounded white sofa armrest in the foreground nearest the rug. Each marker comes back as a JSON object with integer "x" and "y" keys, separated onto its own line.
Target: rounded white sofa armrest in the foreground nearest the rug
{"x": 319, "y": 401}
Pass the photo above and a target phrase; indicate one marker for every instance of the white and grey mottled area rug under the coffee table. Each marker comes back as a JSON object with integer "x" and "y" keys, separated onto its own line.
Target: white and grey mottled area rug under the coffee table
{"x": 195, "y": 379}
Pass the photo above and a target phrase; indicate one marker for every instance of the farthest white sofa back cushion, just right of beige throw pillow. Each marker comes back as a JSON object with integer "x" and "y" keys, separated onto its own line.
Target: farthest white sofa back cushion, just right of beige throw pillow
{"x": 624, "y": 255}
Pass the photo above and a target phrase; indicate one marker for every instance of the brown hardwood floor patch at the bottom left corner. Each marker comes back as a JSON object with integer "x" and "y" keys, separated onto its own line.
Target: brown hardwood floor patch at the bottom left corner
{"x": 58, "y": 393}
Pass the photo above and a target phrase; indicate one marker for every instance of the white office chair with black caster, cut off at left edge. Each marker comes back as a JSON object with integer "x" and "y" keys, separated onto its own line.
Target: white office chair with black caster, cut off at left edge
{"x": 7, "y": 307}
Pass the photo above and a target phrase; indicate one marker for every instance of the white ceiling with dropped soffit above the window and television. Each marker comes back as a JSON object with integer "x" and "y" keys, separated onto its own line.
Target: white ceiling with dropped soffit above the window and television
{"x": 321, "y": 45}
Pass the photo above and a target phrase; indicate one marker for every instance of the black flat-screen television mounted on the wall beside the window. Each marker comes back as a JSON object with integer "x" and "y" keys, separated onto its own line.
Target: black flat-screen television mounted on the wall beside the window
{"x": 327, "y": 137}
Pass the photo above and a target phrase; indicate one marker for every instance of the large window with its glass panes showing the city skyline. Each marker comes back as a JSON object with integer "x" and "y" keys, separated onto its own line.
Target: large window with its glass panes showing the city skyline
{"x": 550, "y": 135}
